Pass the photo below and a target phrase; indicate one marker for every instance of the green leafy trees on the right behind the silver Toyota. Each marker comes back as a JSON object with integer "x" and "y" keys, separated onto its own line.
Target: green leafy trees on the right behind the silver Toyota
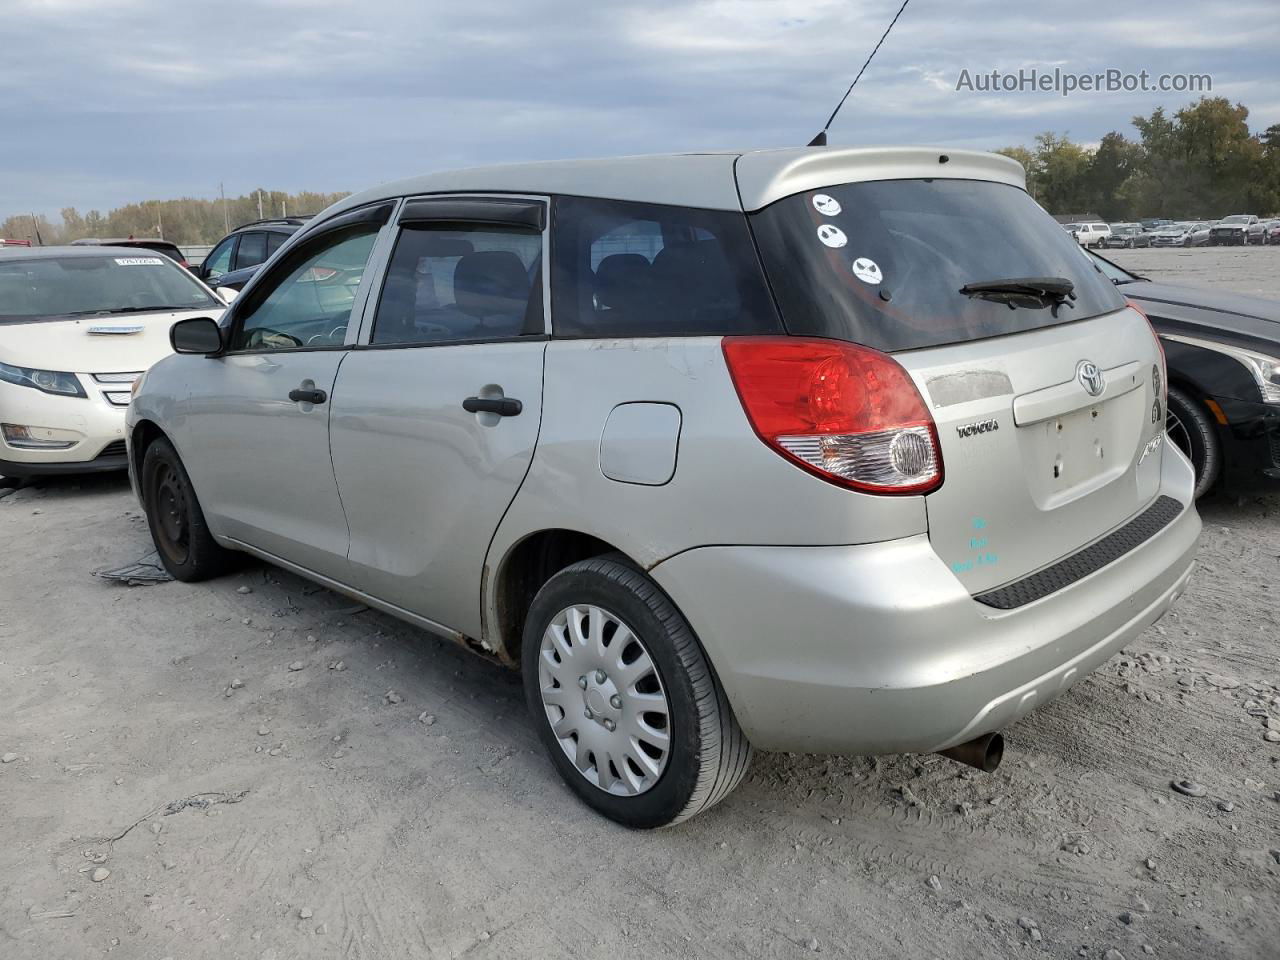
{"x": 1200, "y": 163}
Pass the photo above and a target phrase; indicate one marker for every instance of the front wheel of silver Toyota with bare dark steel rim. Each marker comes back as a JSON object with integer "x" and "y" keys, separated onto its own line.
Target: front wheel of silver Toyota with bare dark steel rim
{"x": 177, "y": 523}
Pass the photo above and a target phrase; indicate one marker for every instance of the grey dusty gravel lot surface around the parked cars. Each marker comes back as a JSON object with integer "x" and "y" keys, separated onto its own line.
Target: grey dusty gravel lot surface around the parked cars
{"x": 255, "y": 769}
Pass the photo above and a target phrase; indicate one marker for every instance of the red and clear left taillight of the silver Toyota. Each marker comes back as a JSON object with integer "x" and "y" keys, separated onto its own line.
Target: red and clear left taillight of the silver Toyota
{"x": 848, "y": 414}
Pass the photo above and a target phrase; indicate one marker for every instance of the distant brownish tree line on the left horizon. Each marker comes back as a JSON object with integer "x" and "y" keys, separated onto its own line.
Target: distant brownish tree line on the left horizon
{"x": 186, "y": 222}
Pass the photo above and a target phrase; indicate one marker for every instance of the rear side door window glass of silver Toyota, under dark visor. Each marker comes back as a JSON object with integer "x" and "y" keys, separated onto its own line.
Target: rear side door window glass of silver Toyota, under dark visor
{"x": 458, "y": 284}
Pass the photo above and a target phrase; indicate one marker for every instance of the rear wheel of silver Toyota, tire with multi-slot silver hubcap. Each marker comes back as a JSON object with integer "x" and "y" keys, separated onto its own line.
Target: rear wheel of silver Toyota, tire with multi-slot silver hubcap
{"x": 625, "y": 701}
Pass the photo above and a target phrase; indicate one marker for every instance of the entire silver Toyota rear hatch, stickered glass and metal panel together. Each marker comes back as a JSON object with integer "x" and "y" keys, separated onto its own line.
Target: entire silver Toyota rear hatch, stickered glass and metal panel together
{"x": 1046, "y": 406}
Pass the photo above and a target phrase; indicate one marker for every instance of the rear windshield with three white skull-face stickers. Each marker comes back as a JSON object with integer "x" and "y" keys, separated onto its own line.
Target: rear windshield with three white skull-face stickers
{"x": 883, "y": 263}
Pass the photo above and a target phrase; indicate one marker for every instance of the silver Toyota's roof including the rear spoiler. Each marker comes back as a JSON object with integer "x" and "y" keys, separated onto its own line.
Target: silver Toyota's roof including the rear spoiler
{"x": 716, "y": 181}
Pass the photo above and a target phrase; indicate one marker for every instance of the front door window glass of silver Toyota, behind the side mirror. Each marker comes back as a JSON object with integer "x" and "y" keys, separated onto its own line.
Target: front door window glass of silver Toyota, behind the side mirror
{"x": 310, "y": 305}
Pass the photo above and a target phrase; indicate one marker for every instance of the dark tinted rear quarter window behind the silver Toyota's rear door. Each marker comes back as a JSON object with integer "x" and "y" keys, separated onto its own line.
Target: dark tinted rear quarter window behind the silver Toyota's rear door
{"x": 623, "y": 269}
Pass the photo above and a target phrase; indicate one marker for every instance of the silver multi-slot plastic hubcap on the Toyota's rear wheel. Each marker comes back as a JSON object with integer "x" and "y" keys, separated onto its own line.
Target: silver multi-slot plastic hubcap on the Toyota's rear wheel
{"x": 605, "y": 701}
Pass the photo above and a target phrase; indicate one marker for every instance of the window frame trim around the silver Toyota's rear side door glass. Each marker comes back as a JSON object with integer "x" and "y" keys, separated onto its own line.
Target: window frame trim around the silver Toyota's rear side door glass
{"x": 391, "y": 234}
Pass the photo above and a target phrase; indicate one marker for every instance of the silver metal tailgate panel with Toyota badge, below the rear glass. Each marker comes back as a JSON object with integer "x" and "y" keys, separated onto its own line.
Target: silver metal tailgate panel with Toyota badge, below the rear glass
{"x": 1036, "y": 464}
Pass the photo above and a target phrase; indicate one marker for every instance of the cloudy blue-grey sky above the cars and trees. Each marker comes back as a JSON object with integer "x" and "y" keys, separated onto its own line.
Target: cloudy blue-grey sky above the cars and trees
{"x": 109, "y": 102}
